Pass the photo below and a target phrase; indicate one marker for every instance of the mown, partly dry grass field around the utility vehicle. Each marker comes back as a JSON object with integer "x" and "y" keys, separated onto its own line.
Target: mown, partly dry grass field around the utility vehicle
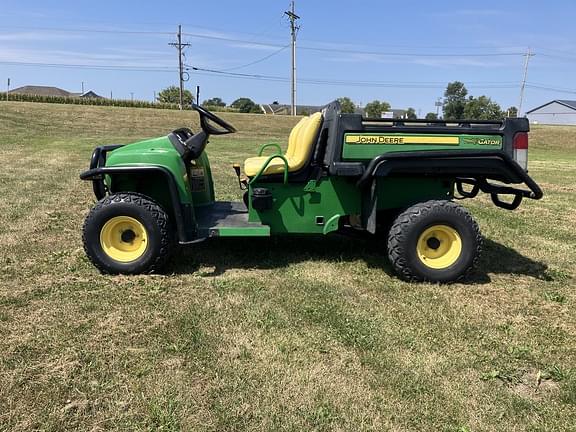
{"x": 281, "y": 334}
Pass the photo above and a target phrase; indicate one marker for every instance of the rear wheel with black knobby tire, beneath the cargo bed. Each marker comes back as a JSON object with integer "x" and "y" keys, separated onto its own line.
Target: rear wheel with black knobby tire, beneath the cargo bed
{"x": 413, "y": 242}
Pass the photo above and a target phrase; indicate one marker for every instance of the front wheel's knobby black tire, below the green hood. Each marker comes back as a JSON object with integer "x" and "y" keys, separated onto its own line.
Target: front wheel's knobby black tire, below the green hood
{"x": 157, "y": 243}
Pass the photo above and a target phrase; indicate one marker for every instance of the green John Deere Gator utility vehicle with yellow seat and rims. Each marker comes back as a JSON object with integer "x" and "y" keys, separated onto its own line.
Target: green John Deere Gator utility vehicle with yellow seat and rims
{"x": 340, "y": 173}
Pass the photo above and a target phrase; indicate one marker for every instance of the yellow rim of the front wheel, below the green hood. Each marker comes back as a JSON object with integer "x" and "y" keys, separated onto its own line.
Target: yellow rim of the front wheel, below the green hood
{"x": 123, "y": 239}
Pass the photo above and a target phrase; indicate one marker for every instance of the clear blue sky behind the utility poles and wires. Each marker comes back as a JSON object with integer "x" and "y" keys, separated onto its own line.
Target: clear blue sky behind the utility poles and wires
{"x": 402, "y": 53}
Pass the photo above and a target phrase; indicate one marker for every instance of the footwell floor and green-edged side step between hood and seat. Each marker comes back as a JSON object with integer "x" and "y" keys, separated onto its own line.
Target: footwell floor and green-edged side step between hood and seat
{"x": 228, "y": 219}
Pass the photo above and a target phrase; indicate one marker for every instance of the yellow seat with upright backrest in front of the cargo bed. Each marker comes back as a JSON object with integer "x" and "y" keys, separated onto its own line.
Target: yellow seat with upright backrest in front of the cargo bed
{"x": 300, "y": 145}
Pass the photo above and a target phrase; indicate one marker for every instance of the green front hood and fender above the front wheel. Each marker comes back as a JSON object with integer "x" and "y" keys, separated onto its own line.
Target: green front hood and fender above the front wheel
{"x": 153, "y": 152}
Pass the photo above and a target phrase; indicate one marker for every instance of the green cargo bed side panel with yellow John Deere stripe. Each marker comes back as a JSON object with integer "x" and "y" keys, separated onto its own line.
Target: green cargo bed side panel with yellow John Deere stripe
{"x": 360, "y": 146}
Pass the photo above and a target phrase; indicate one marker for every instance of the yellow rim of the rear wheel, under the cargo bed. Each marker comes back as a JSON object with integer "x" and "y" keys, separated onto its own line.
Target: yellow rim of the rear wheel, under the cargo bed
{"x": 439, "y": 246}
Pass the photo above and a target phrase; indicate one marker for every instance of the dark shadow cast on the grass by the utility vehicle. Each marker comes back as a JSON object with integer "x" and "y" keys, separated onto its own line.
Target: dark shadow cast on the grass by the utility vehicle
{"x": 278, "y": 252}
